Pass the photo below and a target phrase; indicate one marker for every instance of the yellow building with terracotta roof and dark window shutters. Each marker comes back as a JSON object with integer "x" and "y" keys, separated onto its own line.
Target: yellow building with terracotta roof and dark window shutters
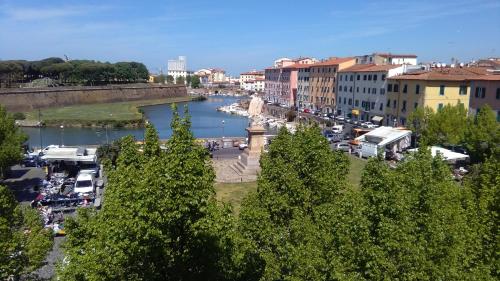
{"x": 435, "y": 89}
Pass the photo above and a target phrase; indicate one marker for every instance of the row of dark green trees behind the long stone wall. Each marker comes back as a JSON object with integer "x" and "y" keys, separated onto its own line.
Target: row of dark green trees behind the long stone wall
{"x": 86, "y": 72}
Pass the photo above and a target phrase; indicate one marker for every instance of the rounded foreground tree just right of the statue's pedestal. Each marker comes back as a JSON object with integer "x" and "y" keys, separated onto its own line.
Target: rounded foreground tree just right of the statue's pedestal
{"x": 300, "y": 174}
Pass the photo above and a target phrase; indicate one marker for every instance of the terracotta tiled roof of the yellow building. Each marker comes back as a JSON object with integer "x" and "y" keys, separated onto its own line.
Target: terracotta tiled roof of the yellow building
{"x": 444, "y": 74}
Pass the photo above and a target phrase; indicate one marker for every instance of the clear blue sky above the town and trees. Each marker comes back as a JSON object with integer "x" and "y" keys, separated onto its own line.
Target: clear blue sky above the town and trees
{"x": 243, "y": 35}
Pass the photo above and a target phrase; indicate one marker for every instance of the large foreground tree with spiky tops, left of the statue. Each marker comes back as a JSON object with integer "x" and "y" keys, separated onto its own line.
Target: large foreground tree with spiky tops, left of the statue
{"x": 160, "y": 219}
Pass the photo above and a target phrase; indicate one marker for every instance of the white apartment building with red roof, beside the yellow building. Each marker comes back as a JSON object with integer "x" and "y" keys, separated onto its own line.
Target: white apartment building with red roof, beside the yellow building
{"x": 361, "y": 91}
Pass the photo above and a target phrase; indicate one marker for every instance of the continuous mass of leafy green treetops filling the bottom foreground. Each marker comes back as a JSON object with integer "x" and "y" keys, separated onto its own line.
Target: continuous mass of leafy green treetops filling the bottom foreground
{"x": 160, "y": 220}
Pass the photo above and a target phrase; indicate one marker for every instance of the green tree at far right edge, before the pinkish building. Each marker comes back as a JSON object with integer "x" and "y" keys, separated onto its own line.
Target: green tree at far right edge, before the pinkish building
{"x": 483, "y": 135}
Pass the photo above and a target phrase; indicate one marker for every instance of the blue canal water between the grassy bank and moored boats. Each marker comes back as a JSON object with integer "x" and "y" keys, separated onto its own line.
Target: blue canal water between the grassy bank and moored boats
{"x": 206, "y": 122}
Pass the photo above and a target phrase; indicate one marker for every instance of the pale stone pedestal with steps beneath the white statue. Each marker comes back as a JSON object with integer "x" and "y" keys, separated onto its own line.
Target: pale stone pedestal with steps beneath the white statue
{"x": 248, "y": 164}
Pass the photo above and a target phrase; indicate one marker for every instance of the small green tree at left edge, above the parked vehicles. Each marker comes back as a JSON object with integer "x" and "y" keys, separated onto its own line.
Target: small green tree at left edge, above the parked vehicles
{"x": 11, "y": 140}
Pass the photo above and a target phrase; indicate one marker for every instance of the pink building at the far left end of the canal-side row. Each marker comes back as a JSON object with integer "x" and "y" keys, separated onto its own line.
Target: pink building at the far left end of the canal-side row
{"x": 281, "y": 80}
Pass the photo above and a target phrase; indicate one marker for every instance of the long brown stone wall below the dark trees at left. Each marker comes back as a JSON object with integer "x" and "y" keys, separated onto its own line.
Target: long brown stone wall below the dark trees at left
{"x": 18, "y": 100}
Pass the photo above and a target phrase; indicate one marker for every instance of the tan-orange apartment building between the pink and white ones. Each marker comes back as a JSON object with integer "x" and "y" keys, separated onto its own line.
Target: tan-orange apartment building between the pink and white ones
{"x": 322, "y": 82}
